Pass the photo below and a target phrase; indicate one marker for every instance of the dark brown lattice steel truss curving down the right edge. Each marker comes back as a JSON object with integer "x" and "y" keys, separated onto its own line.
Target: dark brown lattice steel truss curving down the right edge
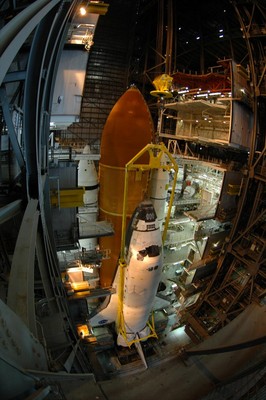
{"x": 241, "y": 274}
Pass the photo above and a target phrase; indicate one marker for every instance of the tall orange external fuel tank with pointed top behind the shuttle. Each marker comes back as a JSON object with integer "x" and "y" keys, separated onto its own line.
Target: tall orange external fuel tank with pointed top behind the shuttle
{"x": 128, "y": 128}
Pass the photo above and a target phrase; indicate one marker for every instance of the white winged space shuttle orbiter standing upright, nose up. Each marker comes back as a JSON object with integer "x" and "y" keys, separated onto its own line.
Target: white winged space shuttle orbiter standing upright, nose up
{"x": 137, "y": 281}
